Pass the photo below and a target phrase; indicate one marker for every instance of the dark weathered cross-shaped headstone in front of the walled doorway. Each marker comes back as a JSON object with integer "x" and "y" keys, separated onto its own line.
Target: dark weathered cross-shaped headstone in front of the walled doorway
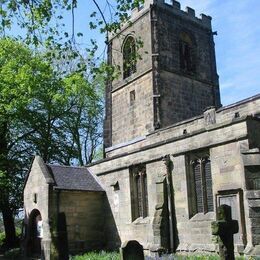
{"x": 225, "y": 228}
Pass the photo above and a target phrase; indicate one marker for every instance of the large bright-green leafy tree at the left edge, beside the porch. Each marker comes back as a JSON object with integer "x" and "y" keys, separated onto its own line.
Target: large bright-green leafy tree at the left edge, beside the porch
{"x": 21, "y": 73}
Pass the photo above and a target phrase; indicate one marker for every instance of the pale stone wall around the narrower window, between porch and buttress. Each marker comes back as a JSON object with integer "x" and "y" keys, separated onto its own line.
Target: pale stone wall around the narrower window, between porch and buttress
{"x": 122, "y": 225}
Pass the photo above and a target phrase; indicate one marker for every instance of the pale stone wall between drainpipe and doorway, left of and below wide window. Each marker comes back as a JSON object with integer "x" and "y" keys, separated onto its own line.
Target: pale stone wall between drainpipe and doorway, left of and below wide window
{"x": 193, "y": 233}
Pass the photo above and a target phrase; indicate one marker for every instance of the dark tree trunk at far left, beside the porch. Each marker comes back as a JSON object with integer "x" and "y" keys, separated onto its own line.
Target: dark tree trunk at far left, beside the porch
{"x": 11, "y": 240}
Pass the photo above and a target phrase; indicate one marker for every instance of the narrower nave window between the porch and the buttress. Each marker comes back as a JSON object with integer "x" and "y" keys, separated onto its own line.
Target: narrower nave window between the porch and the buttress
{"x": 139, "y": 196}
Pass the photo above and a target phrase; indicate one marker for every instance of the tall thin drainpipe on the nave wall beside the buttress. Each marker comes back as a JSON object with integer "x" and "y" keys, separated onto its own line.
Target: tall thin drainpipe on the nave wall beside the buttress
{"x": 167, "y": 163}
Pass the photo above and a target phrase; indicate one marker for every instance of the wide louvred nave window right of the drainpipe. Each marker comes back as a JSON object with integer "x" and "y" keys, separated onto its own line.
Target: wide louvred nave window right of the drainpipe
{"x": 200, "y": 185}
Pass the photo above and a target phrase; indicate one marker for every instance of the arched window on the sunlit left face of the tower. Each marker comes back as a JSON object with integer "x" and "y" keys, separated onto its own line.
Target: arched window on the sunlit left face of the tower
{"x": 129, "y": 57}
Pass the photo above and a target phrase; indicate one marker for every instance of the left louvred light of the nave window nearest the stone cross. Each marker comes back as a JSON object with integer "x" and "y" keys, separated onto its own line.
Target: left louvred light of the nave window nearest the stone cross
{"x": 198, "y": 186}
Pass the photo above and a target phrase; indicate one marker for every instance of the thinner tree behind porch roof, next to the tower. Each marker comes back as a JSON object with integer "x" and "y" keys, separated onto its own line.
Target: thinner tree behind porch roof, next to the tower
{"x": 84, "y": 120}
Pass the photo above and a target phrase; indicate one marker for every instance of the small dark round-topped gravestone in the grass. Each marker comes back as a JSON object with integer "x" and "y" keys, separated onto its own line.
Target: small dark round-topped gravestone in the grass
{"x": 132, "y": 250}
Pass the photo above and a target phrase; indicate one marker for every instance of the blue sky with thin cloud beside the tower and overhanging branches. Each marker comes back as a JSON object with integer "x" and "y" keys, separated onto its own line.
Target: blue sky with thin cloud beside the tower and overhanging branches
{"x": 237, "y": 43}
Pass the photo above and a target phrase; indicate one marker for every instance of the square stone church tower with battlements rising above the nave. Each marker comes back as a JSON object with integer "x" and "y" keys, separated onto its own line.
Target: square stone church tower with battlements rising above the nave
{"x": 171, "y": 76}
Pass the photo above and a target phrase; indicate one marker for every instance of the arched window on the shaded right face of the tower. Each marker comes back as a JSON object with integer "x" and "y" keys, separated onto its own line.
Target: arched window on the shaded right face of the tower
{"x": 187, "y": 53}
